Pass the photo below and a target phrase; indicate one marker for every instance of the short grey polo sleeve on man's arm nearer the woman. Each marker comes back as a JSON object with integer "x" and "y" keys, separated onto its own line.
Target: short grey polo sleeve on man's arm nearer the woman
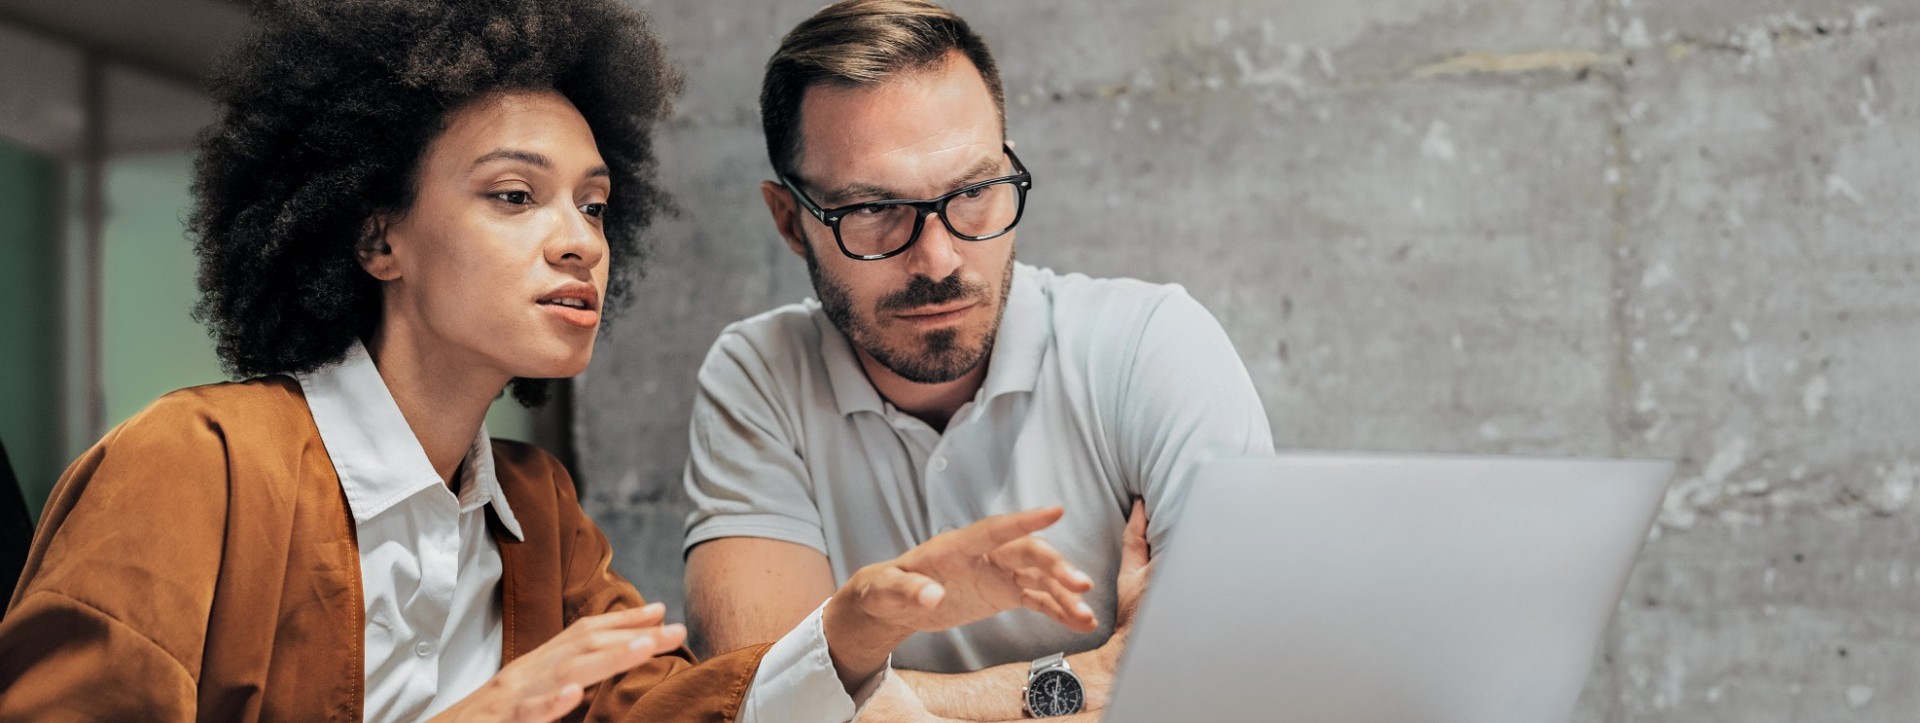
{"x": 746, "y": 475}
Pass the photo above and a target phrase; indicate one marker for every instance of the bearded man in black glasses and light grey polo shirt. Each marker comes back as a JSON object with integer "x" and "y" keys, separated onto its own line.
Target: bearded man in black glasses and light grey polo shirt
{"x": 936, "y": 381}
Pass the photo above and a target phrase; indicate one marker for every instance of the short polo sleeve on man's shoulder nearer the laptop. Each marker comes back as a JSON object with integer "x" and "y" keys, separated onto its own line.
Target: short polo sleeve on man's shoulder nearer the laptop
{"x": 1184, "y": 400}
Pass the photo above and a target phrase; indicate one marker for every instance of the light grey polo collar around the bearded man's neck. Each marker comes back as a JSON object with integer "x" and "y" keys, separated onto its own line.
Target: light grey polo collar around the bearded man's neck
{"x": 1019, "y": 350}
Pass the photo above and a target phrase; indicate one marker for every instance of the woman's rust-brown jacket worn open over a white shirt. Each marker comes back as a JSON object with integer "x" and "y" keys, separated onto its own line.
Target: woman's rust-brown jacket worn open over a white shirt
{"x": 201, "y": 565}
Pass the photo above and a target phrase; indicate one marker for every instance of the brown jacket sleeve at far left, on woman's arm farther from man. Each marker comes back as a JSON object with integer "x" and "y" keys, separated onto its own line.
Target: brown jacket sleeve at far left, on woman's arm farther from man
{"x": 110, "y": 615}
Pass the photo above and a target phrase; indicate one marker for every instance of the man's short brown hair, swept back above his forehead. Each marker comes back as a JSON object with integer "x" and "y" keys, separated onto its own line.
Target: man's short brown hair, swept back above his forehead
{"x": 861, "y": 43}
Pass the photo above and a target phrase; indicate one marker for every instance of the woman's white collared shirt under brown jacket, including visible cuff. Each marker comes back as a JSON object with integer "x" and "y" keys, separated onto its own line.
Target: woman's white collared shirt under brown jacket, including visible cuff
{"x": 431, "y": 571}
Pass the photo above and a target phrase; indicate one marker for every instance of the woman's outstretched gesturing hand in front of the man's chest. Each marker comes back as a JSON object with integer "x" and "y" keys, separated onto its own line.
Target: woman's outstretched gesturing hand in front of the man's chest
{"x": 953, "y": 580}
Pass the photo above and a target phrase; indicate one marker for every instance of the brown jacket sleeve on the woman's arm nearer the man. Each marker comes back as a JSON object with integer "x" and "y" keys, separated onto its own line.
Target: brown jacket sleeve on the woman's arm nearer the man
{"x": 671, "y": 688}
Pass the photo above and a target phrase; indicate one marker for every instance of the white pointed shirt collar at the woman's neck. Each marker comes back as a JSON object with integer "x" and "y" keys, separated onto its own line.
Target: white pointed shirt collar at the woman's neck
{"x": 379, "y": 459}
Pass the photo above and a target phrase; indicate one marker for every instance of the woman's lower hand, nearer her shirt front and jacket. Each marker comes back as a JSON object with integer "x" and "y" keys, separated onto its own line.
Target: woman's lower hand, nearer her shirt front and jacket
{"x": 550, "y": 682}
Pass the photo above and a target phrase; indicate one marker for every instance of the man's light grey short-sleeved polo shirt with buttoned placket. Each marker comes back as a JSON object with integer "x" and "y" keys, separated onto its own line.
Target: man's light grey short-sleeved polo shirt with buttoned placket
{"x": 1097, "y": 392}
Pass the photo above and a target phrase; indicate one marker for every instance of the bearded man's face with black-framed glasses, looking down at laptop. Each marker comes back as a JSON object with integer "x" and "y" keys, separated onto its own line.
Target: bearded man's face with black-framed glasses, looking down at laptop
{"x": 930, "y": 314}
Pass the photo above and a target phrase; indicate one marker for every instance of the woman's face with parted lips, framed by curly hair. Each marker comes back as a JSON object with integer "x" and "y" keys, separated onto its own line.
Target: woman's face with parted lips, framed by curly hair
{"x": 502, "y": 260}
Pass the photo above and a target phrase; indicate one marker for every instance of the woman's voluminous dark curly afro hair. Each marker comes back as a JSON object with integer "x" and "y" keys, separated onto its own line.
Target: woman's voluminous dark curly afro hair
{"x": 325, "y": 116}
